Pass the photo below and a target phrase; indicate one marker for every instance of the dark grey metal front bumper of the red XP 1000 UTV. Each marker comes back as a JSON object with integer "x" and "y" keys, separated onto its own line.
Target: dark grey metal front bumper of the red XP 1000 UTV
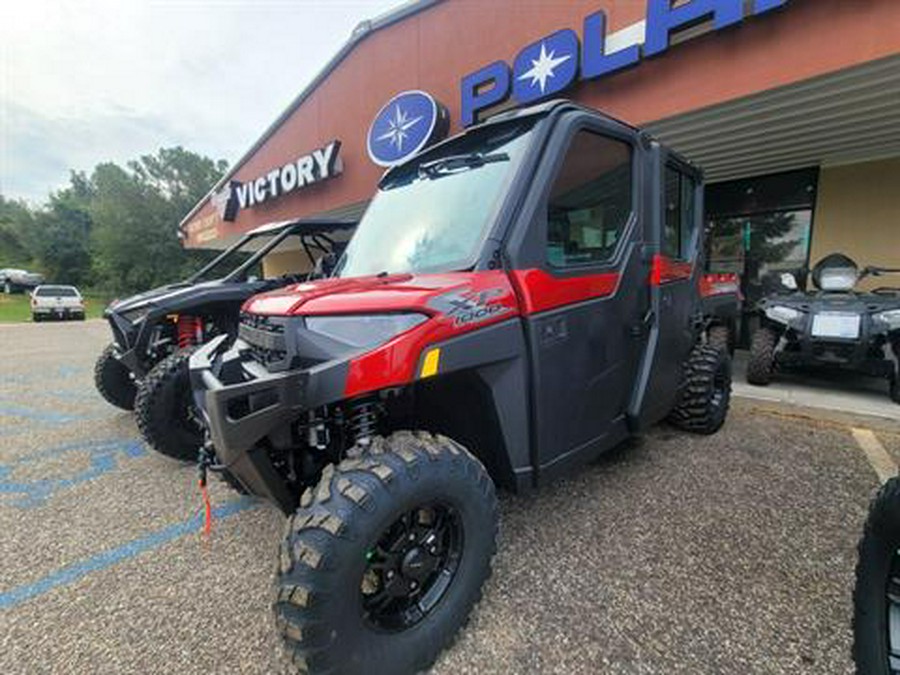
{"x": 249, "y": 410}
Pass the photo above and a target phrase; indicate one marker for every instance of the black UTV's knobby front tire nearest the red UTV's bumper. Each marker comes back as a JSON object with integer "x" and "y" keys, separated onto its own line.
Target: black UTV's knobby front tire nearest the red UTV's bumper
{"x": 163, "y": 409}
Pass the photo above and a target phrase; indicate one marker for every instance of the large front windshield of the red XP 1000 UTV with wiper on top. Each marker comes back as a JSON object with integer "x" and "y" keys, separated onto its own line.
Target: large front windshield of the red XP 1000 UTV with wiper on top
{"x": 433, "y": 214}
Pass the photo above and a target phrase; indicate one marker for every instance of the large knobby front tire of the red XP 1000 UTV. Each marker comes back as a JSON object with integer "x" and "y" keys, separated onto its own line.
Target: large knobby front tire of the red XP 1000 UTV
{"x": 325, "y": 595}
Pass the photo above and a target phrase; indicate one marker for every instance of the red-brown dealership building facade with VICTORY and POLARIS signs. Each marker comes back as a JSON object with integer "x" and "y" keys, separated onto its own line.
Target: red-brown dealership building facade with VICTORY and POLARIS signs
{"x": 791, "y": 107}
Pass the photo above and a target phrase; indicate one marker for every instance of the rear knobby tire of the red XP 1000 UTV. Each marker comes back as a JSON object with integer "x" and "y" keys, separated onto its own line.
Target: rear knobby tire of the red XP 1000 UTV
{"x": 706, "y": 392}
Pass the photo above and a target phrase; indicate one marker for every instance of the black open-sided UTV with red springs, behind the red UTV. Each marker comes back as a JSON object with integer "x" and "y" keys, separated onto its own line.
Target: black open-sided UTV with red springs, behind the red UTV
{"x": 145, "y": 368}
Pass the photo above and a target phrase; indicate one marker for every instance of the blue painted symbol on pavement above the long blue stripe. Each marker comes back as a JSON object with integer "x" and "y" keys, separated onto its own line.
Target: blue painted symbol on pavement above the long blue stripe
{"x": 103, "y": 457}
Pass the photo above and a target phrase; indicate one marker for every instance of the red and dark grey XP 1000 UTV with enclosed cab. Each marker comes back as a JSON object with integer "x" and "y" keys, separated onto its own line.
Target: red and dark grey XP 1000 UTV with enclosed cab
{"x": 536, "y": 304}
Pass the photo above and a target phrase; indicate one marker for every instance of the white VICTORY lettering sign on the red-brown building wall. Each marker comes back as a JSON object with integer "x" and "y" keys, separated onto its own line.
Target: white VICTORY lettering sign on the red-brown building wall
{"x": 319, "y": 165}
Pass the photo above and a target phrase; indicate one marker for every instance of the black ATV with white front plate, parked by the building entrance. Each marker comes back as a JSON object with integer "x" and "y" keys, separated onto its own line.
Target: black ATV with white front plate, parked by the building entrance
{"x": 834, "y": 326}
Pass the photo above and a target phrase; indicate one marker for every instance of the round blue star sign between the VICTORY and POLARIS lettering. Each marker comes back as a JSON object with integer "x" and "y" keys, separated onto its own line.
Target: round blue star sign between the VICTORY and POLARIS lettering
{"x": 407, "y": 124}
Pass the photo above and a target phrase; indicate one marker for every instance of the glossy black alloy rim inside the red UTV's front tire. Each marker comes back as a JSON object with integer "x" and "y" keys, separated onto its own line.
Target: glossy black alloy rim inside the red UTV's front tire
{"x": 411, "y": 566}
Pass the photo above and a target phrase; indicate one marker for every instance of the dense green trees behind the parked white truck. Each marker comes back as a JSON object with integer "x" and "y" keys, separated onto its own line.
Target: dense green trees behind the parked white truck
{"x": 116, "y": 228}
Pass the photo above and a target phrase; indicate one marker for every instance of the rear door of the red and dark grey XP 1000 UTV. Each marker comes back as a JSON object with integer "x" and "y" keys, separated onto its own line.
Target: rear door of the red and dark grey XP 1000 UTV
{"x": 675, "y": 233}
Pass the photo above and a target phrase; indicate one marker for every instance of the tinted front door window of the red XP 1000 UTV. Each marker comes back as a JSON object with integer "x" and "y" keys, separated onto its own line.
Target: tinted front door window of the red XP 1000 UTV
{"x": 590, "y": 202}
